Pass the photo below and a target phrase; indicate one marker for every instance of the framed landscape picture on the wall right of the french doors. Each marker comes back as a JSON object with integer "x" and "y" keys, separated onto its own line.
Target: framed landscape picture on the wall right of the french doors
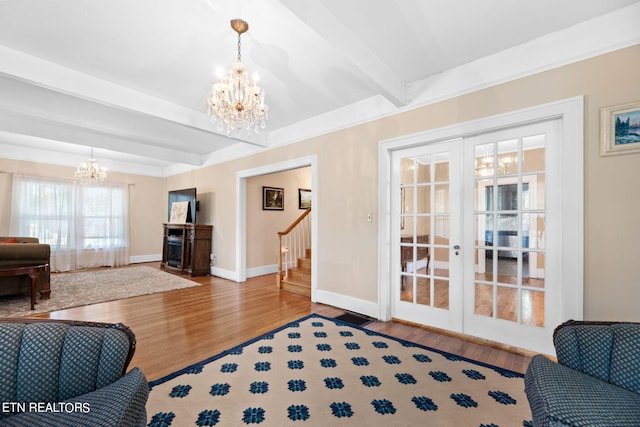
{"x": 620, "y": 129}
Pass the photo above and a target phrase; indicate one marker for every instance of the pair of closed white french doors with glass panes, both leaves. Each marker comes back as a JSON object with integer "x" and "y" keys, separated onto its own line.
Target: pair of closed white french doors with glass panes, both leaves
{"x": 472, "y": 234}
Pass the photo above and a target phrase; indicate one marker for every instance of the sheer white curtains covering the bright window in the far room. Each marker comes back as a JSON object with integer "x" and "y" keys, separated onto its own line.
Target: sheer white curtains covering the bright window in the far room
{"x": 86, "y": 225}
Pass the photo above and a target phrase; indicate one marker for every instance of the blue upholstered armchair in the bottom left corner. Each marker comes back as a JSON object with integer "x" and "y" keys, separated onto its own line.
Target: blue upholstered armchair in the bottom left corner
{"x": 66, "y": 373}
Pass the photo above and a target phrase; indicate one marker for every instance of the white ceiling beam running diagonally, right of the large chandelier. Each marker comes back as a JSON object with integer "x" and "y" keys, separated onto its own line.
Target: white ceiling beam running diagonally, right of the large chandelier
{"x": 320, "y": 19}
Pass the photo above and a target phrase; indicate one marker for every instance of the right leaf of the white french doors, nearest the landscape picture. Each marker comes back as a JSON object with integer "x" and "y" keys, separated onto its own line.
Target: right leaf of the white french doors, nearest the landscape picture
{"x": 512, "y": 221}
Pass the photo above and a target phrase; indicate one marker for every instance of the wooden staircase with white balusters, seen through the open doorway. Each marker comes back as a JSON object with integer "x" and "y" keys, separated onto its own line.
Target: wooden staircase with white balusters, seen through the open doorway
{"x": 294, "y": 257}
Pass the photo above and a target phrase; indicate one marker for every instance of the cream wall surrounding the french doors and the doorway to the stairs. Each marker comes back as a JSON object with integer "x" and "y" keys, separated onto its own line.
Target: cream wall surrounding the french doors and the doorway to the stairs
{"x": 348, "y": 187}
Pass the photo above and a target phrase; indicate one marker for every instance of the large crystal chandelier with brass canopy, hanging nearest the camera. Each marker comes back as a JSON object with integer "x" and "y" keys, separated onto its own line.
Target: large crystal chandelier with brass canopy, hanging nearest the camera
{"x": 237, "y": 102}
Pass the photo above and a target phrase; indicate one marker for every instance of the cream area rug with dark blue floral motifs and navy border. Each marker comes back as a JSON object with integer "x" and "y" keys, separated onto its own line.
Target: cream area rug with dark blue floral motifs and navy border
{"x": 319, "y": 371}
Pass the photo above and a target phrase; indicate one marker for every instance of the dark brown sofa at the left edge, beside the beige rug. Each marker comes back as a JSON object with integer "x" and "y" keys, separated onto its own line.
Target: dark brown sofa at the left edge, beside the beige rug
{"x": 25, "y": 251}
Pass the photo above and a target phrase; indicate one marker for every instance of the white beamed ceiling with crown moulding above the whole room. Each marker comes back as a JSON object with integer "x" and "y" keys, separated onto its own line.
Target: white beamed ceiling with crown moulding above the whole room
{"x": 130, "y": 78}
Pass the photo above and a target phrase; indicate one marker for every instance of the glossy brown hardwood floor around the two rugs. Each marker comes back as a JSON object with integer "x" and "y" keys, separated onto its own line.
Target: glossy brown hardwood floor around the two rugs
{"x": 177, "y": 328}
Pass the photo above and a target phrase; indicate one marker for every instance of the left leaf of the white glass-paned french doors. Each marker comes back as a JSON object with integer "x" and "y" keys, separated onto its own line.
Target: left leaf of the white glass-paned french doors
{"x": 427, "y": 227}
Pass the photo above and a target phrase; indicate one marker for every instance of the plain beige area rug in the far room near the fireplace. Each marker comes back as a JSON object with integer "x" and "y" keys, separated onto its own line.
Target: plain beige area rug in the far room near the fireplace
{"x": 76, "y": 289}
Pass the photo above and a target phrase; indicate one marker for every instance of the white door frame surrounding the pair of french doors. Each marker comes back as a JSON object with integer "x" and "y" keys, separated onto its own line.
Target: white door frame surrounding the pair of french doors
{"x": 571, "y": 112}
